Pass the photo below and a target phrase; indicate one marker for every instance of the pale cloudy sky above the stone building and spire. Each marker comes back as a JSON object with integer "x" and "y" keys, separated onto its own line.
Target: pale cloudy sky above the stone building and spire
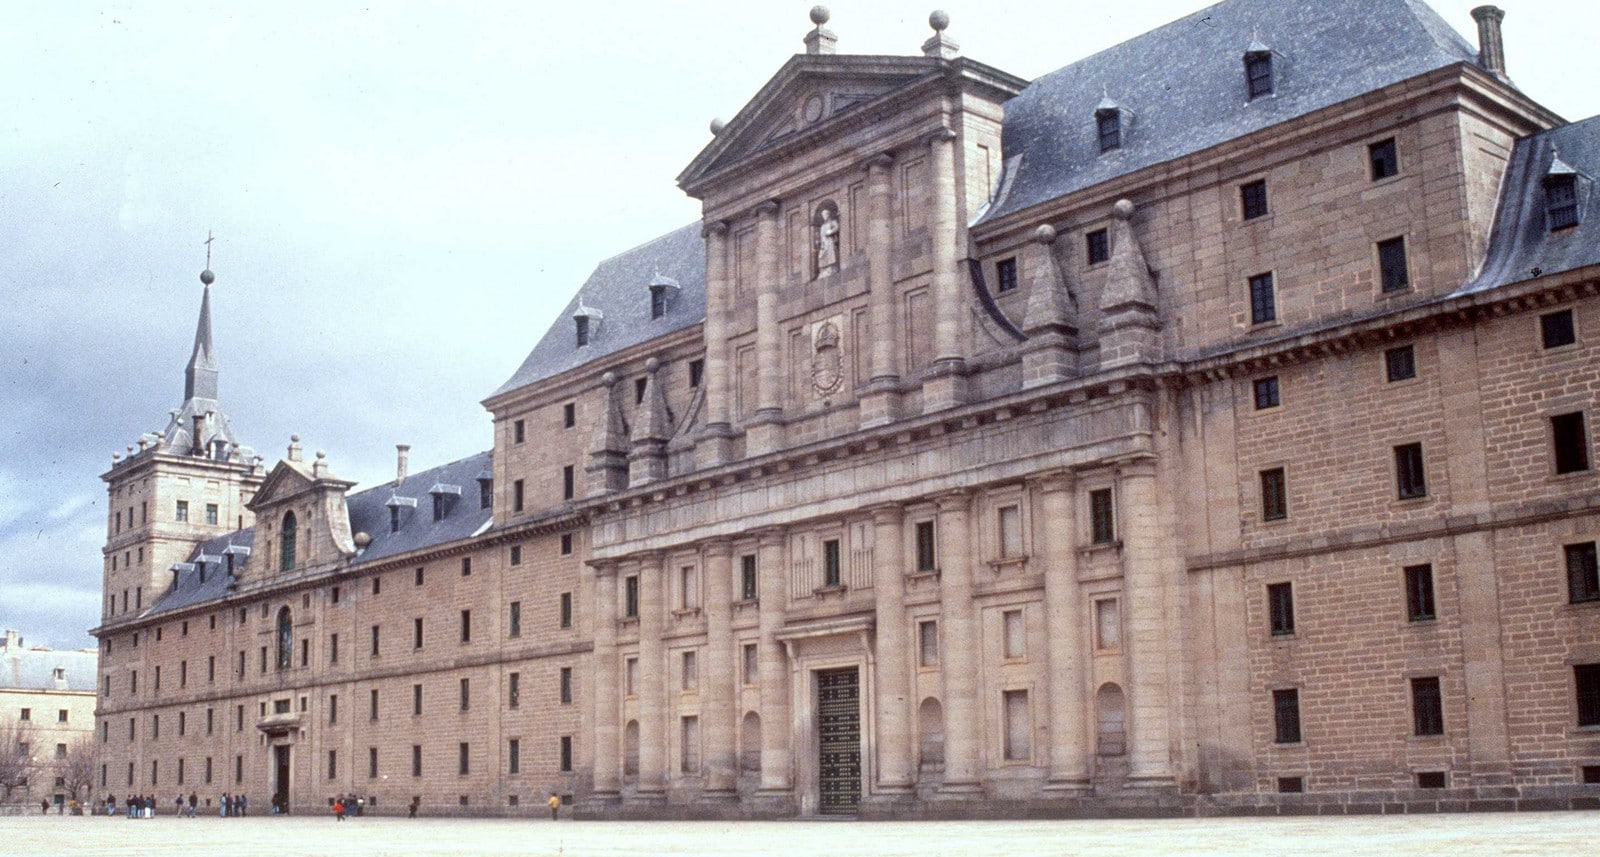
{"x": 404, "y": 196}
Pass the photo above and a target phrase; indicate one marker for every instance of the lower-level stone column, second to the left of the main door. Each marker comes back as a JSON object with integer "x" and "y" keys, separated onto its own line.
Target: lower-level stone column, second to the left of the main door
{"x": 721, "y": 674}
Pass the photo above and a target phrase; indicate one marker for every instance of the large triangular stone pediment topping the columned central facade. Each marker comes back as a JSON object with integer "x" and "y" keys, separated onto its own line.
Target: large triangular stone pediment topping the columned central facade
{"x": 802, "y": 100}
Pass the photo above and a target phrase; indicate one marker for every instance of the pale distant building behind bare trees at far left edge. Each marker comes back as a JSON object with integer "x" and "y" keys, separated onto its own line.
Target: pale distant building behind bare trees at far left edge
{"x": 47, "y": 725}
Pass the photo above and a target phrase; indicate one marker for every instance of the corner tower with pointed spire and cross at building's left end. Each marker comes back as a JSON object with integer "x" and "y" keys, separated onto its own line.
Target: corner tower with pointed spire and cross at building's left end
{"x": 175, "y": 487}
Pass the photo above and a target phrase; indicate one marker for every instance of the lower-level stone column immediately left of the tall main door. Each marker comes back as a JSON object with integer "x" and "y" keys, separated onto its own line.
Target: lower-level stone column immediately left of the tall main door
{"x": 774, "y": 666}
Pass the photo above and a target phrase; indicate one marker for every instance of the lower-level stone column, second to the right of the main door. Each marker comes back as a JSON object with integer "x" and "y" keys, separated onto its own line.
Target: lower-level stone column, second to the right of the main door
{"x": 962, "y": 644}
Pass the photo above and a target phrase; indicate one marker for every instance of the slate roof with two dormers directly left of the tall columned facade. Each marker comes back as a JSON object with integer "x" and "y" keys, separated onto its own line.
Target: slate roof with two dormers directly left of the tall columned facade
{"x": 620, "y": 289}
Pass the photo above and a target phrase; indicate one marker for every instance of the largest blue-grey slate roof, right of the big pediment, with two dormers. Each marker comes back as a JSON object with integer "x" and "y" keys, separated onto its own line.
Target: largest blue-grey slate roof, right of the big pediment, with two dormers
{"x": 1185, "y": 87}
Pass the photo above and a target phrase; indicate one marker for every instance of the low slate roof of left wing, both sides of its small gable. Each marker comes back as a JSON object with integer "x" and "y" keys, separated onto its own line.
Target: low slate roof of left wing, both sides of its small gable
{"x": 369, "y": 514}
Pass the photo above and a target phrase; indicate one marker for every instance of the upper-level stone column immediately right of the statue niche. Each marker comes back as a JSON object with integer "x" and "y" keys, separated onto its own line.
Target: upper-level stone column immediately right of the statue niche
{"x": 881, "y": 401}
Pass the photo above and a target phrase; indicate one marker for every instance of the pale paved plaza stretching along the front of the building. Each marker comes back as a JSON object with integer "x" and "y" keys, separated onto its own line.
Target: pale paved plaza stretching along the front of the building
{"x": 1391, "y": 835}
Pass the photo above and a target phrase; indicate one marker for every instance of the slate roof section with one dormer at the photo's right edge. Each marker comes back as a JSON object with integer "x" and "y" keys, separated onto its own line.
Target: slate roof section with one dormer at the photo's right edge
{"x": 1522, "y": 245}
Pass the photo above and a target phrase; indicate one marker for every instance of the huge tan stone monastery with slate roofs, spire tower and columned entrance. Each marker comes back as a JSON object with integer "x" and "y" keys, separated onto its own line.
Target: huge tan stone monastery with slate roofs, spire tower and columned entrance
{"x": 1204, "y": 426}
